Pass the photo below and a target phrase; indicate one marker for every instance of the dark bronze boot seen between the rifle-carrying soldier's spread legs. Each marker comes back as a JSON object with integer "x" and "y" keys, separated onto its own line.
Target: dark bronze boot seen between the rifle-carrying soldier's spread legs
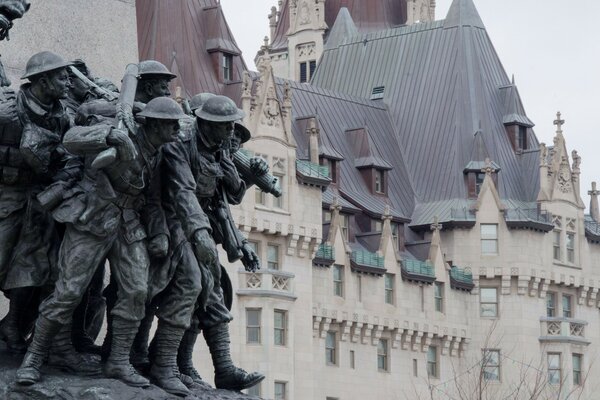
{"x": 63, "y": 356}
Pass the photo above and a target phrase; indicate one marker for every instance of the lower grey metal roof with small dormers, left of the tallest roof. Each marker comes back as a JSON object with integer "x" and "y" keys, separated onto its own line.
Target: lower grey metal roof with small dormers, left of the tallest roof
{"x": 338, "y": 113}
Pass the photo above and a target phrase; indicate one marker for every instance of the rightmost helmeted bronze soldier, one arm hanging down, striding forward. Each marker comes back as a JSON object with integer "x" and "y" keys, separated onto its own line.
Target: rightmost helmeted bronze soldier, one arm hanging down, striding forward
{"x": 201, "y": 179}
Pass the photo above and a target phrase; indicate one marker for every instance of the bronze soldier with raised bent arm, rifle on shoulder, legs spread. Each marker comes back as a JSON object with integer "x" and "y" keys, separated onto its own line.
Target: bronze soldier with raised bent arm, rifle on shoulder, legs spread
{"x": 103, "y": 222}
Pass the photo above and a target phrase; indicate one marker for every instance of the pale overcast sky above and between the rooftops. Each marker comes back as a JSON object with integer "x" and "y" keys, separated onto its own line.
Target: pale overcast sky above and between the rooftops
{"x": 551, "y": 46}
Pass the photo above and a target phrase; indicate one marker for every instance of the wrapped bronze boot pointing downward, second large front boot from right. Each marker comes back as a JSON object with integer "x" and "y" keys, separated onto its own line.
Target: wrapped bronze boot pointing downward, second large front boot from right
{"x": 164, "y": 372}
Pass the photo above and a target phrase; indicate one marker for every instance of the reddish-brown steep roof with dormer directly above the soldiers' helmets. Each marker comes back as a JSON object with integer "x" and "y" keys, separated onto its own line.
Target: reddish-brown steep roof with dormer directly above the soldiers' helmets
{"x": 181, "y": 34}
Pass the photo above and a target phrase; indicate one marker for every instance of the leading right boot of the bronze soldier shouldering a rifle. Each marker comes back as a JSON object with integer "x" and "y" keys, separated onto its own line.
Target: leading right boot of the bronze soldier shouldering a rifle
{"x": 117, "y": 364}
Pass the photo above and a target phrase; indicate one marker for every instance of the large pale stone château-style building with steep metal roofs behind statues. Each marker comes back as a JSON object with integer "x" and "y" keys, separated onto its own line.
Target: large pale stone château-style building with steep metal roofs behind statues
{"x": 426, "y": 244}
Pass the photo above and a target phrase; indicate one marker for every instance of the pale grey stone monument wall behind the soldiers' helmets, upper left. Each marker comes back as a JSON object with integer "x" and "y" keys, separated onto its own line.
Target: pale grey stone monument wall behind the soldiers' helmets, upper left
{"x": 102, "y": 32}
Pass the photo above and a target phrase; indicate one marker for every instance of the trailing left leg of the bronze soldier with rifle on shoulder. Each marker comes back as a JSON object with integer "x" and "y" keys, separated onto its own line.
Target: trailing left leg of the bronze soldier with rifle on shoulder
{"x": 78, "y": 257}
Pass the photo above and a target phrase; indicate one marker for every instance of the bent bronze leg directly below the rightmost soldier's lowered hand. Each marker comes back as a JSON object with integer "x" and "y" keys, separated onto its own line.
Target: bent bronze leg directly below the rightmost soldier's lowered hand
{"x": 174, "y": 313}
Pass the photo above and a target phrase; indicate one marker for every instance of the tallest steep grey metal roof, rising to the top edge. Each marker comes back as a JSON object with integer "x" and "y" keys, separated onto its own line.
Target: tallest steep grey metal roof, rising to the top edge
{"x": 442, "y": 83}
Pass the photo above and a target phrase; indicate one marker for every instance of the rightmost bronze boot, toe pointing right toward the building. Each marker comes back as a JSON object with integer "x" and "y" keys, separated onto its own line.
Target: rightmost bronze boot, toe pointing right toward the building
{"x": 227, "y": 375}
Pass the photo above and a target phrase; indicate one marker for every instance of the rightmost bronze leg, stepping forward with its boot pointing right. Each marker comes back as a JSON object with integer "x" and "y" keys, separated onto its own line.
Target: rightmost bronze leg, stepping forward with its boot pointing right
{"x": 214, "y": 322}
